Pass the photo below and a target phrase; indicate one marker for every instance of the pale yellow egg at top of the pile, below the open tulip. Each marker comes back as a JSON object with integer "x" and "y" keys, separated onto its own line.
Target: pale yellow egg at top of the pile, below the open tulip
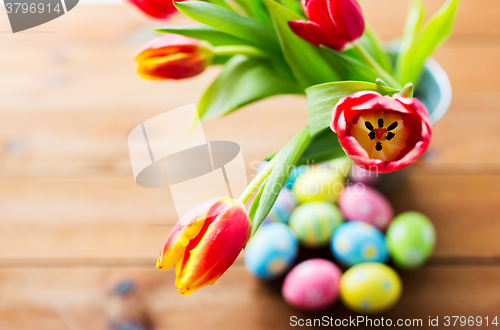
{"x": 318, "y": 184}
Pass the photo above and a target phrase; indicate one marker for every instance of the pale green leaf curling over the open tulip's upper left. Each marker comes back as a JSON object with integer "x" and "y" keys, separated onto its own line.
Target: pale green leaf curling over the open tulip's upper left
{"x": 321, "y": 99}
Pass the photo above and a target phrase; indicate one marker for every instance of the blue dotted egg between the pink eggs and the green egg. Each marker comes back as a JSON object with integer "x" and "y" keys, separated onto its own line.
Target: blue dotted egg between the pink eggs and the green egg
{"x": 356, "y": 242}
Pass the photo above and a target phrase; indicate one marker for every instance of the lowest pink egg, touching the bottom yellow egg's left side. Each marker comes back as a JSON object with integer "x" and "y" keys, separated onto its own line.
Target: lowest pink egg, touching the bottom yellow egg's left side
{"x": 312, "y": 285}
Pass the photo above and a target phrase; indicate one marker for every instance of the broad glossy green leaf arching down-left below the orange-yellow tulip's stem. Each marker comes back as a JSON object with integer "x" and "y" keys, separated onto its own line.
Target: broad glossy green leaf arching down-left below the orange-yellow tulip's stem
{"x": 244, "y": 80}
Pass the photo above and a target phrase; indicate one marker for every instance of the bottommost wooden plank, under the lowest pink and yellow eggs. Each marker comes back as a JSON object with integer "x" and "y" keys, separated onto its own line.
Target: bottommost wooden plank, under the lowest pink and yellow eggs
{"x": 78, "y": 298}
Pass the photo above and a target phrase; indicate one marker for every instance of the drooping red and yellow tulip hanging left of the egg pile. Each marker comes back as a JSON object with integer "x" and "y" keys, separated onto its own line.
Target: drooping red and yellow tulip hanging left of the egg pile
{"x": 205, "y": 242}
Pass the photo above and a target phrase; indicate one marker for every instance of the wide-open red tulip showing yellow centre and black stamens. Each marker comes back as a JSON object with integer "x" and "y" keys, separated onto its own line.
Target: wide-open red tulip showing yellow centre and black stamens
{"x": 381, "y": 133}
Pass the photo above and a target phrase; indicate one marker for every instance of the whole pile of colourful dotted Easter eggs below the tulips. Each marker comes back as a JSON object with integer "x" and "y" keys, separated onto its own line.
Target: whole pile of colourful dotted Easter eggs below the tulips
{"x": 319, "y": 208}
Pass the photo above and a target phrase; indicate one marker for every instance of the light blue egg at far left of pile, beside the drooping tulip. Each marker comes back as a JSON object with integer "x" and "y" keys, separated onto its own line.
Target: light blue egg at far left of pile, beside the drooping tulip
{"x": 271, "y": 251}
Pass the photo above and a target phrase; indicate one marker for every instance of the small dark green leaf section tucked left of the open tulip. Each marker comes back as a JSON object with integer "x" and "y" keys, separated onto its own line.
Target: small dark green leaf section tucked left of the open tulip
{"x": 324, "y": 146}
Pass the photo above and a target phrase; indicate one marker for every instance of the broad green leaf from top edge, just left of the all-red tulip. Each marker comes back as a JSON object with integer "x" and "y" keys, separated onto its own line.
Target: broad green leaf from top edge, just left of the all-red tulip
{"x": 305, "y": 60}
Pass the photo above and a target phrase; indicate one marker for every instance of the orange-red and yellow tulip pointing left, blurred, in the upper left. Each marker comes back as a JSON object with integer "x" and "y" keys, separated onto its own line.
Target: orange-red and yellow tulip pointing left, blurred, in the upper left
{"x": 173, "y": 57}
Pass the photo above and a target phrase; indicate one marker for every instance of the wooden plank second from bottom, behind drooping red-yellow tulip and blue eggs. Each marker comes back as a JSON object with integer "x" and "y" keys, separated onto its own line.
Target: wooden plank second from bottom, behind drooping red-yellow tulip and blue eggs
{"x": 114, "y": 218}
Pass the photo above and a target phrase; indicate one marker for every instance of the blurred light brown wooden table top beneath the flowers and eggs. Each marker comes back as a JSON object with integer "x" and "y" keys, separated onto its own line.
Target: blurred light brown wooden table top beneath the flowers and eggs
{"x": 73, "y": 222}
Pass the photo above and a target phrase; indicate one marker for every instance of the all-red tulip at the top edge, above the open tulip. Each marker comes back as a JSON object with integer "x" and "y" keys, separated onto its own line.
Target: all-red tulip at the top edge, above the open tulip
{"x": 333, "y": 23}
